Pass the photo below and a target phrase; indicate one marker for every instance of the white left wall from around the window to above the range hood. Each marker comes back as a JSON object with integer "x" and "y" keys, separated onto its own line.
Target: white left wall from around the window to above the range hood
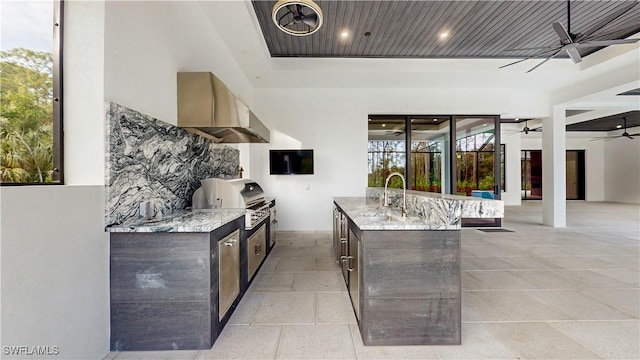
{"x": 55, "y": 257}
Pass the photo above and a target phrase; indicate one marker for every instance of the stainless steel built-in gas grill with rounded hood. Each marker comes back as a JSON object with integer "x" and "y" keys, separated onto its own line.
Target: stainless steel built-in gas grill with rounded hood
{"x": 233, "y": 194}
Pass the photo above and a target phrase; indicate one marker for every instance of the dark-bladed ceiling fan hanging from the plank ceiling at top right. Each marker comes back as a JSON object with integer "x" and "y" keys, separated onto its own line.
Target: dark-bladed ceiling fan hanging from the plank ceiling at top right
{"x": 570, "y": 42}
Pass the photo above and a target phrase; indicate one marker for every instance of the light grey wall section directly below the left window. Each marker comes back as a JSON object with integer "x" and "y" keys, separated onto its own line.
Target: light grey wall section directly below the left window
{"x": 55, "y": 270}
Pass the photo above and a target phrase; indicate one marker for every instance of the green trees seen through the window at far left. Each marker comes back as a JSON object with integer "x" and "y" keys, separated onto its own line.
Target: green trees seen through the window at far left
{"x": 26, "y": 116}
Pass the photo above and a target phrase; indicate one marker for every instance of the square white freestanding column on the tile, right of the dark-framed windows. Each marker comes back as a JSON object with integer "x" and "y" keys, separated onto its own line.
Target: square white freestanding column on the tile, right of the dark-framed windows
{"x": 554, "y": 147}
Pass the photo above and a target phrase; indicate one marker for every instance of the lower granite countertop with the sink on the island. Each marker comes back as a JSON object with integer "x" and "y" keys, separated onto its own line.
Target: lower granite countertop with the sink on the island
{"x": 361, "y": 209}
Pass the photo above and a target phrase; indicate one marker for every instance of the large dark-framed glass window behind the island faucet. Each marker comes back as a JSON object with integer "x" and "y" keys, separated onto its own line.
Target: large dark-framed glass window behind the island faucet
{"x": 430, "y": 162}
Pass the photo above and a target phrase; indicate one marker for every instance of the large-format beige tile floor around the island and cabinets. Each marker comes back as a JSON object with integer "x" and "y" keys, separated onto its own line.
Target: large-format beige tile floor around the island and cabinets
{"x": 535, "y": 293}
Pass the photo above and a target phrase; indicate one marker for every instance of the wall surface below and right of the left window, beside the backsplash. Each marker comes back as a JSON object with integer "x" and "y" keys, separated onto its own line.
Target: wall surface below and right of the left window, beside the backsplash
{"x": 55, "y": 257}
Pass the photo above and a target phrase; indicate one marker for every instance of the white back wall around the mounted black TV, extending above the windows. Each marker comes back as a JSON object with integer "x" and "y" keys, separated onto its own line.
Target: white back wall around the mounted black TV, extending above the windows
{"x": 333, "y": 122}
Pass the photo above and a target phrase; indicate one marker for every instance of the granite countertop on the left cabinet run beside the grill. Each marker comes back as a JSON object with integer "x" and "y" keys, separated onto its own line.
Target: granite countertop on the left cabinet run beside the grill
{"x": 201, "y": 220}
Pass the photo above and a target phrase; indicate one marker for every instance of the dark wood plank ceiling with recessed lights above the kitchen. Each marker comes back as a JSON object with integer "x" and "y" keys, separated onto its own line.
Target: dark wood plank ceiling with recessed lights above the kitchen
{"x": 410, "y": 29}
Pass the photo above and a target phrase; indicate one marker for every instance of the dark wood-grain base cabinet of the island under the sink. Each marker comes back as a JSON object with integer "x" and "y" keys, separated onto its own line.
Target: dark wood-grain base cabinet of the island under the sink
{"x": 404, "y": 285}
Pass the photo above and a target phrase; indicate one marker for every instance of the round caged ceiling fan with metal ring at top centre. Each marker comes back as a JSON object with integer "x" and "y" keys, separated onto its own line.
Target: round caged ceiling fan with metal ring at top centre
{"x": 297, "y": 17}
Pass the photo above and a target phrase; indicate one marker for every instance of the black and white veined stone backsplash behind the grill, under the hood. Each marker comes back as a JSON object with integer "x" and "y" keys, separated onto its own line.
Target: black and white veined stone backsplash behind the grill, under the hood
{"x": 149, "y": 160}
